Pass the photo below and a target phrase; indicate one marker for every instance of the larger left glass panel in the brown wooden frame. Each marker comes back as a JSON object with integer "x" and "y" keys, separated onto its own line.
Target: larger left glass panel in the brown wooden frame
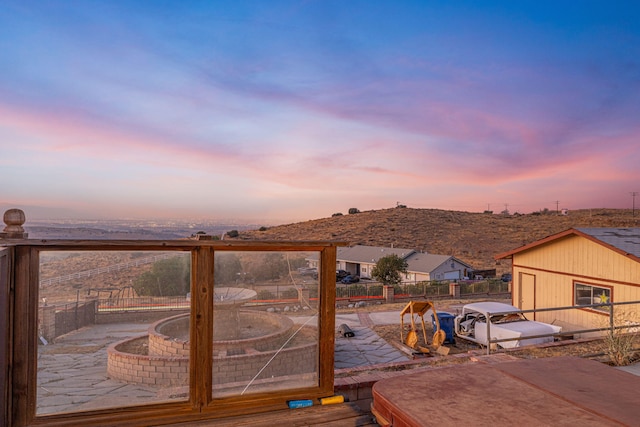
{"x": 113, "y": 329}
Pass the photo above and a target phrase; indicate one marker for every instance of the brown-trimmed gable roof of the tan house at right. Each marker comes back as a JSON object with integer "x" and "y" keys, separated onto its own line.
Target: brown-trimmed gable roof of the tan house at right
{"x": 625, "y": 241}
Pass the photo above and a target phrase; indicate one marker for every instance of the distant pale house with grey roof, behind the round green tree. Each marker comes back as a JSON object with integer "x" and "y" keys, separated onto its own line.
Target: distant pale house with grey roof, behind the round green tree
{"x": 360, "y": 259}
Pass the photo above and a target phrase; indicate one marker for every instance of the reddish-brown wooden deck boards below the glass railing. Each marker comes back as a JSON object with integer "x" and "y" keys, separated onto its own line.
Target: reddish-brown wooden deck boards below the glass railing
{"x": 338, "y": 415}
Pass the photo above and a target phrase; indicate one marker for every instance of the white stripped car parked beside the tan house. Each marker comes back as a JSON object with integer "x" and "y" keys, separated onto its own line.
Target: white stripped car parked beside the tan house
{"x": 472, "y": 325}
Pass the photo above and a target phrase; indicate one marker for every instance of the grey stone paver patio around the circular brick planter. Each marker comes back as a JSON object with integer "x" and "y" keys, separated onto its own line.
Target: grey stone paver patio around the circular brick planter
{"x": 72, "y": 372}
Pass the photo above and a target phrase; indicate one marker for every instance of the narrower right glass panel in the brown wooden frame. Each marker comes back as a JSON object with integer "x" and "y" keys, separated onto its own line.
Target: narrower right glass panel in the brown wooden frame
{"x": 265, "y": 322}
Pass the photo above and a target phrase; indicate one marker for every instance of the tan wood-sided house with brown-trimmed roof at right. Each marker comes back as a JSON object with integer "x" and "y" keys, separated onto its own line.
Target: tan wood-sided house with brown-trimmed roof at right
{"x": 581, "y": 266}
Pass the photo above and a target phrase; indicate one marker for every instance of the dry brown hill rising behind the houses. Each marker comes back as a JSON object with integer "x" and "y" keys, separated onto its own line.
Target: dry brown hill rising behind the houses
{"x": 472, "y": 237}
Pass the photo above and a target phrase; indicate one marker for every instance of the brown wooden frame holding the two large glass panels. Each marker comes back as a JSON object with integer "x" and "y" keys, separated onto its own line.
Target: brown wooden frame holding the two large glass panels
{"x": 20, "y": 332}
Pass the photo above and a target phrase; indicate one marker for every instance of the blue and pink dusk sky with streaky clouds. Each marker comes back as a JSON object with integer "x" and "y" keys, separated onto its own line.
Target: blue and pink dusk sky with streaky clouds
{"x": 294, "y": 110}
